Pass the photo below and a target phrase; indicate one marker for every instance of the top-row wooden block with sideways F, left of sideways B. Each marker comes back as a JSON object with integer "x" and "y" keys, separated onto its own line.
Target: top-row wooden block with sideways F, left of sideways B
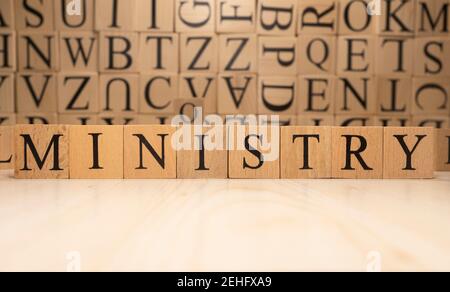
{"x": 236, "y": 16}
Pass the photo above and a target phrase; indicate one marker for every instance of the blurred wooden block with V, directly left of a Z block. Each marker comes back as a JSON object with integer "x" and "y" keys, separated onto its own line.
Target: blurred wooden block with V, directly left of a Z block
{"x": 37, "y": 92}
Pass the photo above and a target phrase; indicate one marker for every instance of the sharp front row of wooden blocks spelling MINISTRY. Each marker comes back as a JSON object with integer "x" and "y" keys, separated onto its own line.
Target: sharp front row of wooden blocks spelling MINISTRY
{"x": 130, "y": 152}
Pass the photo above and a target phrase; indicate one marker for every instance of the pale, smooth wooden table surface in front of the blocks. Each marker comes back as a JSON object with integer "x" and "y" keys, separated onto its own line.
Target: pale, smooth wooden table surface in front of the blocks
{"x": 224, "y": 225}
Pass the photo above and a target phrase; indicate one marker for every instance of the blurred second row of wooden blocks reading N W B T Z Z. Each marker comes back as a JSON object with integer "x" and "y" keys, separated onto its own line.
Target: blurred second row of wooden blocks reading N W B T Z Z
{"x": 132, "y": 52}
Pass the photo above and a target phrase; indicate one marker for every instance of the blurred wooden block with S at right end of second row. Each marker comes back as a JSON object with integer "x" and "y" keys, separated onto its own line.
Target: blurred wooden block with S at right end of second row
{"x": 431, "y": 57}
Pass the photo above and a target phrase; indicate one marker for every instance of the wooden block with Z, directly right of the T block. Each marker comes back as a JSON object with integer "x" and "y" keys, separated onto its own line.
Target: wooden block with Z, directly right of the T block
{"x": 199, "y": 53}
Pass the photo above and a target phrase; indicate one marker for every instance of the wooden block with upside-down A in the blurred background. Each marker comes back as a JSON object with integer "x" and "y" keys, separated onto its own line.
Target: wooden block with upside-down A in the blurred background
{"x": 237, "y": 93}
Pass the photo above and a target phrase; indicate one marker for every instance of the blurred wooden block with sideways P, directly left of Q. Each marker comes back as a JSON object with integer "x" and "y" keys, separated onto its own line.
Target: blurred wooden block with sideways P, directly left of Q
{"x": 277, "y": 55}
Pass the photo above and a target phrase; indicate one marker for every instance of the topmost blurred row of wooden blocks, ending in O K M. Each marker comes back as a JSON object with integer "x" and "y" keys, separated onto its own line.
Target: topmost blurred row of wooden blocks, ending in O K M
{"x": 271, "y": 17}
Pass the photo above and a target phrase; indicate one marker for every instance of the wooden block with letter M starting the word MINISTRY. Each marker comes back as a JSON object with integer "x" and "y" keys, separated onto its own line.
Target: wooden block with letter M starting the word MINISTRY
{"x": 42, "y": 152}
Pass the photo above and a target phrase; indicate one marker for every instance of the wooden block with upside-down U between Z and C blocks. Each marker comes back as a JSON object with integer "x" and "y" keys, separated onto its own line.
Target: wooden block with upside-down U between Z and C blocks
{"x": 119, "y": 93}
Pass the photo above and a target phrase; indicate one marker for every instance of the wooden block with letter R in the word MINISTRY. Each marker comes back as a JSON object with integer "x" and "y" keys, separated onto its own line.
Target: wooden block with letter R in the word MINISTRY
{"x": 357, "y": 153}
